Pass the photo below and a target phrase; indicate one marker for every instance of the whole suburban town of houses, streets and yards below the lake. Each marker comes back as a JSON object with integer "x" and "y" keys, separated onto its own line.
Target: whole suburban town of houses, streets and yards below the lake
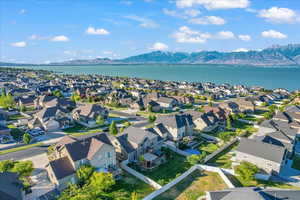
{"x": 92, "y": 137}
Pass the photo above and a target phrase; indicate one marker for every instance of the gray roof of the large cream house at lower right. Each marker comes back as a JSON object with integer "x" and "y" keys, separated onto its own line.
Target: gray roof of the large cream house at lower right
{"x": 261, "y": 149}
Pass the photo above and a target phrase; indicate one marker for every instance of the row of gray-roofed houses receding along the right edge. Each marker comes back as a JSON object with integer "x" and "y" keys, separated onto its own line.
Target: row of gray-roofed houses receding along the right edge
{"x": 276, "y": 141}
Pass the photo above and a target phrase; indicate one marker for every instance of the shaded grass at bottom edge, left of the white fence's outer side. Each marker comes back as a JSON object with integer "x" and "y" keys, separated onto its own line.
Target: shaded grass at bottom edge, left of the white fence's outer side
{"x": 129, "y": 184}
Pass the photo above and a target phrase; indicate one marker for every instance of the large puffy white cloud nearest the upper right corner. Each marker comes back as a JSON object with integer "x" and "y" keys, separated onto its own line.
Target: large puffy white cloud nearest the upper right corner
{"x": 279, "y": 15}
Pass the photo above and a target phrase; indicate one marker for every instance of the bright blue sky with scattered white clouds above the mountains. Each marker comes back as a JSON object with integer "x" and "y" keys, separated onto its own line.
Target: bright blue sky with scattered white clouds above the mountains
{"x": 43, "y": 31}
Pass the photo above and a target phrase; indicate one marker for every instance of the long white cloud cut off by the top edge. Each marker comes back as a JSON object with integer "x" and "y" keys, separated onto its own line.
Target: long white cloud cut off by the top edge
{"x": 214, "y": 4}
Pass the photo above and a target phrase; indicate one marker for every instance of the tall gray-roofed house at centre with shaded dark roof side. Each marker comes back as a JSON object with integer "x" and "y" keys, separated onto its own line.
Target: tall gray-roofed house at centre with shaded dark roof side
{"x": 178, "y": 125}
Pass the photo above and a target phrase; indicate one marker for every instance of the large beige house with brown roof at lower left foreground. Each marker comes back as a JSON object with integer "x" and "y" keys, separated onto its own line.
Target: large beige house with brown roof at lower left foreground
{"x": 71, "y": 153}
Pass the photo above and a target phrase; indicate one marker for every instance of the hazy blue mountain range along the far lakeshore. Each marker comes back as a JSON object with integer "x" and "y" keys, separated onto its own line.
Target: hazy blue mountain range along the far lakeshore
{"x": 275, "y": 55}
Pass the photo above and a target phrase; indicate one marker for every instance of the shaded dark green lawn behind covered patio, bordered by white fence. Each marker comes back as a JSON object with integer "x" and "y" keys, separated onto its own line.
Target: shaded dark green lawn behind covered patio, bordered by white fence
{"x": 165, "y": 173}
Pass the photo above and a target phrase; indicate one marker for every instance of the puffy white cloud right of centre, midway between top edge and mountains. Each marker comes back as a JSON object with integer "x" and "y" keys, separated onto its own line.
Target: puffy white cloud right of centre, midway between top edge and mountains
{"x": 187, "y": 35}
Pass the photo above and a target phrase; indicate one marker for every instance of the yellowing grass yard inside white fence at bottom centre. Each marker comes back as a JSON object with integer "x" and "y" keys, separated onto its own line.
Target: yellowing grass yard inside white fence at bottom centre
{"x": 194, "y": 186}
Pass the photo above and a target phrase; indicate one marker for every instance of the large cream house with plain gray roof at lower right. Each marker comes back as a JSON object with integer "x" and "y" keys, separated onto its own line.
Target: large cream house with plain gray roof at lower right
{"x": 267, "y": 157}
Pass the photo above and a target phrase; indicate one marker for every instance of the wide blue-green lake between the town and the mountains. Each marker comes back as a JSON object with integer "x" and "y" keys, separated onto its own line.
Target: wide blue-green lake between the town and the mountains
{"x": 269, "y": 77}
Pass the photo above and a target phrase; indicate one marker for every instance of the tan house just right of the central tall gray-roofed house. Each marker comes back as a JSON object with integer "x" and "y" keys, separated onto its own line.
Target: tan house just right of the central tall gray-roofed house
{"x": 205, "y": 122}
